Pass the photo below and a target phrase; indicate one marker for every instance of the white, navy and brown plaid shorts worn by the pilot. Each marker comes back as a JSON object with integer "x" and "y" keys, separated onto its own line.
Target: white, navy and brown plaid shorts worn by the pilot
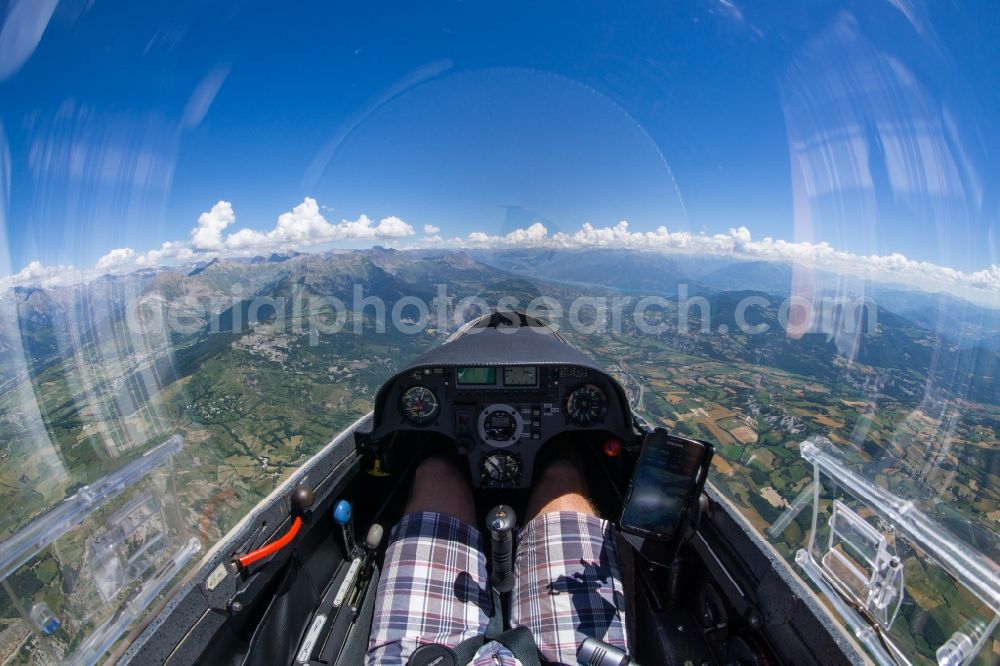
{"x": 435, "y": 588}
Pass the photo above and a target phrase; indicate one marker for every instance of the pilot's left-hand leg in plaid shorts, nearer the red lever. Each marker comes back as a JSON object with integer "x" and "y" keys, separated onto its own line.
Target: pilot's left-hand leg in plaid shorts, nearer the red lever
{"x": 434, "y": 585}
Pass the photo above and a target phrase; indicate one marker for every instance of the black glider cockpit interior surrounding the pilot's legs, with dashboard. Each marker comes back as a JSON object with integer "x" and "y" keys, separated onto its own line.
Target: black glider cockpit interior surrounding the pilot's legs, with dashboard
{"x": 295, "y": 582}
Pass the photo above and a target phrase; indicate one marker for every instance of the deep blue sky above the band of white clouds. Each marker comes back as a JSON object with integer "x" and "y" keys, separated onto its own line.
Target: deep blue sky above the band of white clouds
{"x": 127, "y": 121}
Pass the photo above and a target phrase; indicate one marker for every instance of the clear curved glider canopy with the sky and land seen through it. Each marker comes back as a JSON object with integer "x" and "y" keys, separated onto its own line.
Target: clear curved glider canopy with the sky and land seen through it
{"x": 221, "y": 228}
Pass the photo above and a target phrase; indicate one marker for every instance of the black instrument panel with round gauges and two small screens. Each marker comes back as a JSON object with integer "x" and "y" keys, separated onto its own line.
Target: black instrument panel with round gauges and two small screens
{"x": 499, "y": 416}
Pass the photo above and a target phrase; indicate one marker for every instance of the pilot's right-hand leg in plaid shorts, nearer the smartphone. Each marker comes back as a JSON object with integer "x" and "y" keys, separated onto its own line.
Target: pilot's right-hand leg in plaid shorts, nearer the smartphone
{"x": 568, "y": 580}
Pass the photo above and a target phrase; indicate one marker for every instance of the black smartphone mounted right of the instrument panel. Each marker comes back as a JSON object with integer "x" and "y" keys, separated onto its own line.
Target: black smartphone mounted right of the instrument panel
{"x": 668, "y": 478}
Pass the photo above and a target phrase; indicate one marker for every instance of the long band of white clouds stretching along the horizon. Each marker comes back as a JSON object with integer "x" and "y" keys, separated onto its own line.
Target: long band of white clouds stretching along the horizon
{"x": 305, "y": 226}
